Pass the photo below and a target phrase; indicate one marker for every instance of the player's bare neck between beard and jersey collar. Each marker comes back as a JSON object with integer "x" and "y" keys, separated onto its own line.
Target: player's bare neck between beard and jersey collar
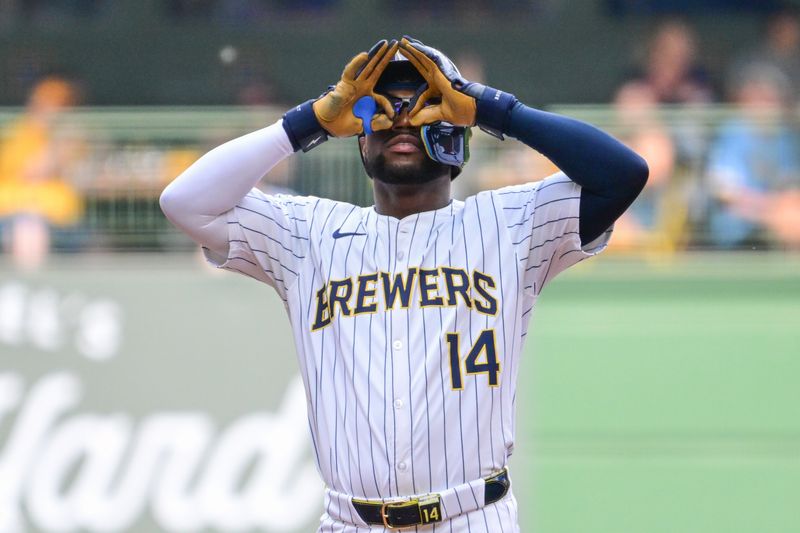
{"x": 400, "y": 201}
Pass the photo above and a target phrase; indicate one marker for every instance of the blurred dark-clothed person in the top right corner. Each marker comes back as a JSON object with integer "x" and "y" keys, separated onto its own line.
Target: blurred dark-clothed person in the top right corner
{"x": 779, "y": 49}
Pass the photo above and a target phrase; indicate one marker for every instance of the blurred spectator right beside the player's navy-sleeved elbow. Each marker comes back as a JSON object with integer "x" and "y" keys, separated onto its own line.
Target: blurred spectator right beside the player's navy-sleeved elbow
{"x": 658, "y": 219}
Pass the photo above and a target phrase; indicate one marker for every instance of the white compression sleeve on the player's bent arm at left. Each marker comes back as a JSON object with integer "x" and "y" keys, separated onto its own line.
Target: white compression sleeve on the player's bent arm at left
{"x": 197, "y": 200}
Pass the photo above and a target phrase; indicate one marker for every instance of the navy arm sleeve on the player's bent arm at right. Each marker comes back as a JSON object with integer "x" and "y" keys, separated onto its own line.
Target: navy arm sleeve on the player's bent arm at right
{"x": 610, "y": 174}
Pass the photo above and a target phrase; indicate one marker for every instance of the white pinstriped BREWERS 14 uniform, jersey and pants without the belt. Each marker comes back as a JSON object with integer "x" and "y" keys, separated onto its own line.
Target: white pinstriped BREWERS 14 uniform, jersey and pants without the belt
{"x": 409, "y": 332}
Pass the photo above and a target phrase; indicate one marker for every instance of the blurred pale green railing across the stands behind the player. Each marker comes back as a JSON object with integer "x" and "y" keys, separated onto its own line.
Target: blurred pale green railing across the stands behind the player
{"x": 119, "y": 160}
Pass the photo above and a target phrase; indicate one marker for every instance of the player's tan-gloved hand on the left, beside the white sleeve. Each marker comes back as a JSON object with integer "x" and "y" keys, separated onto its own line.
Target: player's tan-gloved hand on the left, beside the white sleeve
{"x": 334, "y": 109}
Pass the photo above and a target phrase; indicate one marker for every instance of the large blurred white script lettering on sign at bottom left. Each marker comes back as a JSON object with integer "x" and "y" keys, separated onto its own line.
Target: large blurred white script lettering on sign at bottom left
{"x": 103, "y": 472}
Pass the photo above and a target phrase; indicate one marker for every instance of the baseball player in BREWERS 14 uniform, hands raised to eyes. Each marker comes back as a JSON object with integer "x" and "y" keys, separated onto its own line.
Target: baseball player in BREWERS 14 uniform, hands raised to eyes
{"x": 409, "y": 316}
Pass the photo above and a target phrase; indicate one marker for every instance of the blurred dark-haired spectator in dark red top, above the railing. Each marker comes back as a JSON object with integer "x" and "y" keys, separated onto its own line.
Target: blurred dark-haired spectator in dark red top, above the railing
{"x": 670, "y": 68}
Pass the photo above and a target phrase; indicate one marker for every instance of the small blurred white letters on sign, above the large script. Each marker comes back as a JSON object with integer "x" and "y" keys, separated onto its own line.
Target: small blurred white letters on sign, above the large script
{"x": 49, "y": 321}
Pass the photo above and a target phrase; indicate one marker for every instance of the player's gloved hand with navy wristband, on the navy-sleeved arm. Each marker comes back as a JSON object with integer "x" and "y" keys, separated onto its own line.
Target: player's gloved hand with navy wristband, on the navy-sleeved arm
{"x": 463, "y": 103}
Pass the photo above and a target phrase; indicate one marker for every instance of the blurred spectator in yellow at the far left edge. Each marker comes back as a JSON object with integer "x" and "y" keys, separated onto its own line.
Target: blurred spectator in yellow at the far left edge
{"x": 34, "y": 196}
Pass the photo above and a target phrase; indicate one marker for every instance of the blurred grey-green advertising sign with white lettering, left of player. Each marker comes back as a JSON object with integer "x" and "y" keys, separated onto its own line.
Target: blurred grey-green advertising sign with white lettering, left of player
{"x": 147, "y": 393}
